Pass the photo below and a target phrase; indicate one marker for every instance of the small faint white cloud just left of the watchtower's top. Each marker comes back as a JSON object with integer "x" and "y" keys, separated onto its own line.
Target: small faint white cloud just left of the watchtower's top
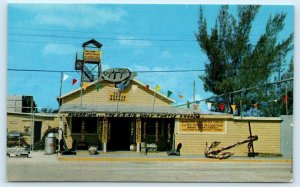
{"x": 59, "y": 49}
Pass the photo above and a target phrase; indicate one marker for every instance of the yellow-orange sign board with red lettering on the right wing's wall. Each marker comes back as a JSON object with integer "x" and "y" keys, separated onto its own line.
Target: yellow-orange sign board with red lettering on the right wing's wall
{"x": 209, "y": 126}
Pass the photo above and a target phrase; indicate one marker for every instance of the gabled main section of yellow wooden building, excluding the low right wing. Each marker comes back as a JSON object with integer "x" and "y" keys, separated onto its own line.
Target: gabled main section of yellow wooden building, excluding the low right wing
{"x": 116, "y": 120}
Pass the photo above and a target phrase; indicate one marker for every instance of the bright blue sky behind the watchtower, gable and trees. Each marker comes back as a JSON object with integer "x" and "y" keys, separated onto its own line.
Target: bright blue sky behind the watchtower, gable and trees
{"x": 139, "y": 37}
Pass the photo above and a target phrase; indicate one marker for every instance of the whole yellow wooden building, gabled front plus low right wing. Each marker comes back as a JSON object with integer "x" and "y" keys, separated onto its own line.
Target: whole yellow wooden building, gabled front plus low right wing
{"x": 140, "y": 116}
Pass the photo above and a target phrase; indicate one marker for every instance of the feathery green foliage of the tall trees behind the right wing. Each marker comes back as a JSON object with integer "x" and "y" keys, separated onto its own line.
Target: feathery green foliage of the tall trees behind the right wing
{"x": 236, "y": 63}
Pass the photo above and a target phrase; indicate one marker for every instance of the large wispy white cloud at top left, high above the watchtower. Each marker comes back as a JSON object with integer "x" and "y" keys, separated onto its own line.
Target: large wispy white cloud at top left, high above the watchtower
{"x": 75, "y": 16}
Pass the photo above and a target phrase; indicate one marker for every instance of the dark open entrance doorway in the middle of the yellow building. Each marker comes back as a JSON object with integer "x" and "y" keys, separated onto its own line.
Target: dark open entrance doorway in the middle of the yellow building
{"x": 119, "y": 134}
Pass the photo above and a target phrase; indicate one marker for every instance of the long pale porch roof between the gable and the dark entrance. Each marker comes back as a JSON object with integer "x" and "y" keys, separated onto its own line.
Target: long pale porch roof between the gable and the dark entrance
{"x": 125, "y": 109}
